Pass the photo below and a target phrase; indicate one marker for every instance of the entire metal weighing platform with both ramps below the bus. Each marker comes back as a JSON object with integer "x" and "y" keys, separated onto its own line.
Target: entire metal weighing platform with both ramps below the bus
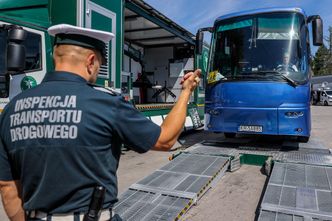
{"x": 299, "y": 187}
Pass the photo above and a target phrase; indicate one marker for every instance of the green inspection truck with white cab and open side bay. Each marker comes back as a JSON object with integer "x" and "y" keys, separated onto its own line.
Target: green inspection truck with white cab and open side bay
{"x": 147, "y": 45}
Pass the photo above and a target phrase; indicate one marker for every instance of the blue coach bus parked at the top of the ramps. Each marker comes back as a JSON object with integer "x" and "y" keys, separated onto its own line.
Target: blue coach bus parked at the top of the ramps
{"x": 259, "y": 72}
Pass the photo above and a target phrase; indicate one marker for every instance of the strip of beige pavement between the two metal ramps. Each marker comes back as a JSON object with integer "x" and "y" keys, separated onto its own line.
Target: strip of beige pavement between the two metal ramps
{"x": 235, "y": 197}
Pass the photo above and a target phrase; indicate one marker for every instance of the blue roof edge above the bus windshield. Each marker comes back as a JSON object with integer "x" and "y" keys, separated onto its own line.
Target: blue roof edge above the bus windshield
{"x": 259, "y": 11}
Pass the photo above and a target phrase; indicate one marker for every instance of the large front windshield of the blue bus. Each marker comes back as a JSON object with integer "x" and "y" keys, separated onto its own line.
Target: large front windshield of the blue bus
{"x": 260, "y": 47}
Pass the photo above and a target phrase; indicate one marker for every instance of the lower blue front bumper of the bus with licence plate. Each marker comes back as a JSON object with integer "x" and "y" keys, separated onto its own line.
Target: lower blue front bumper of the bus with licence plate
{"x": 285, "y": 120}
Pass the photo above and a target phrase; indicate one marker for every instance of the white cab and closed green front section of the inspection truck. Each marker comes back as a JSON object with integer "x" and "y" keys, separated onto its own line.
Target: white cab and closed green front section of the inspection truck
{"x": 36, "y": 16}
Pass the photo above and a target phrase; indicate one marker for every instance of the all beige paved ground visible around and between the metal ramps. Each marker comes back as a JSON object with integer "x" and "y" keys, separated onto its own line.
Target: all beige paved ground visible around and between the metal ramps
{"x": 236, "y": 196}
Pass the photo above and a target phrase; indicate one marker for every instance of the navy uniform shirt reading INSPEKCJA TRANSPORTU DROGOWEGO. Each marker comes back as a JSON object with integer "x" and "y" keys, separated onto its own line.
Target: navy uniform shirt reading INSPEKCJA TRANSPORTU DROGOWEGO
{"x": 64, "y": 137}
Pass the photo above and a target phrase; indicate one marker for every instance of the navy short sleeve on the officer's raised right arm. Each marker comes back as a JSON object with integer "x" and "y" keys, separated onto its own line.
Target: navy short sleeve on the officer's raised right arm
{"x": 134, "y": 128}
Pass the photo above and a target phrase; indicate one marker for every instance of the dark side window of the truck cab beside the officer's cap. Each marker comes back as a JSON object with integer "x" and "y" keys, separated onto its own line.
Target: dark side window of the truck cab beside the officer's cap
{"x": 33, "y": 52}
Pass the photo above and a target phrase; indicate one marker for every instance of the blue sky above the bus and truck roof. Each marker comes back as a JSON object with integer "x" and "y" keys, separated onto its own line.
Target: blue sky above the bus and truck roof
{"x": 194, "y": 14}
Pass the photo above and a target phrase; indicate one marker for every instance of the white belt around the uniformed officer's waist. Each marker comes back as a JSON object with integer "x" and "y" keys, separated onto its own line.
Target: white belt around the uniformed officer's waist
{"x": 106, "y": 215}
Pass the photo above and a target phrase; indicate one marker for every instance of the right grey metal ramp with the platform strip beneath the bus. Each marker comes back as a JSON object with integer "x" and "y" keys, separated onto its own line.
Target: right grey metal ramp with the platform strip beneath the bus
{"x": 300, "y": 186}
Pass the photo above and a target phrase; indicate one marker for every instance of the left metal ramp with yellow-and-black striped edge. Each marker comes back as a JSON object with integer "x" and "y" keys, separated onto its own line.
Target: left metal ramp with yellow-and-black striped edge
{"x": 169, "y": 192}
